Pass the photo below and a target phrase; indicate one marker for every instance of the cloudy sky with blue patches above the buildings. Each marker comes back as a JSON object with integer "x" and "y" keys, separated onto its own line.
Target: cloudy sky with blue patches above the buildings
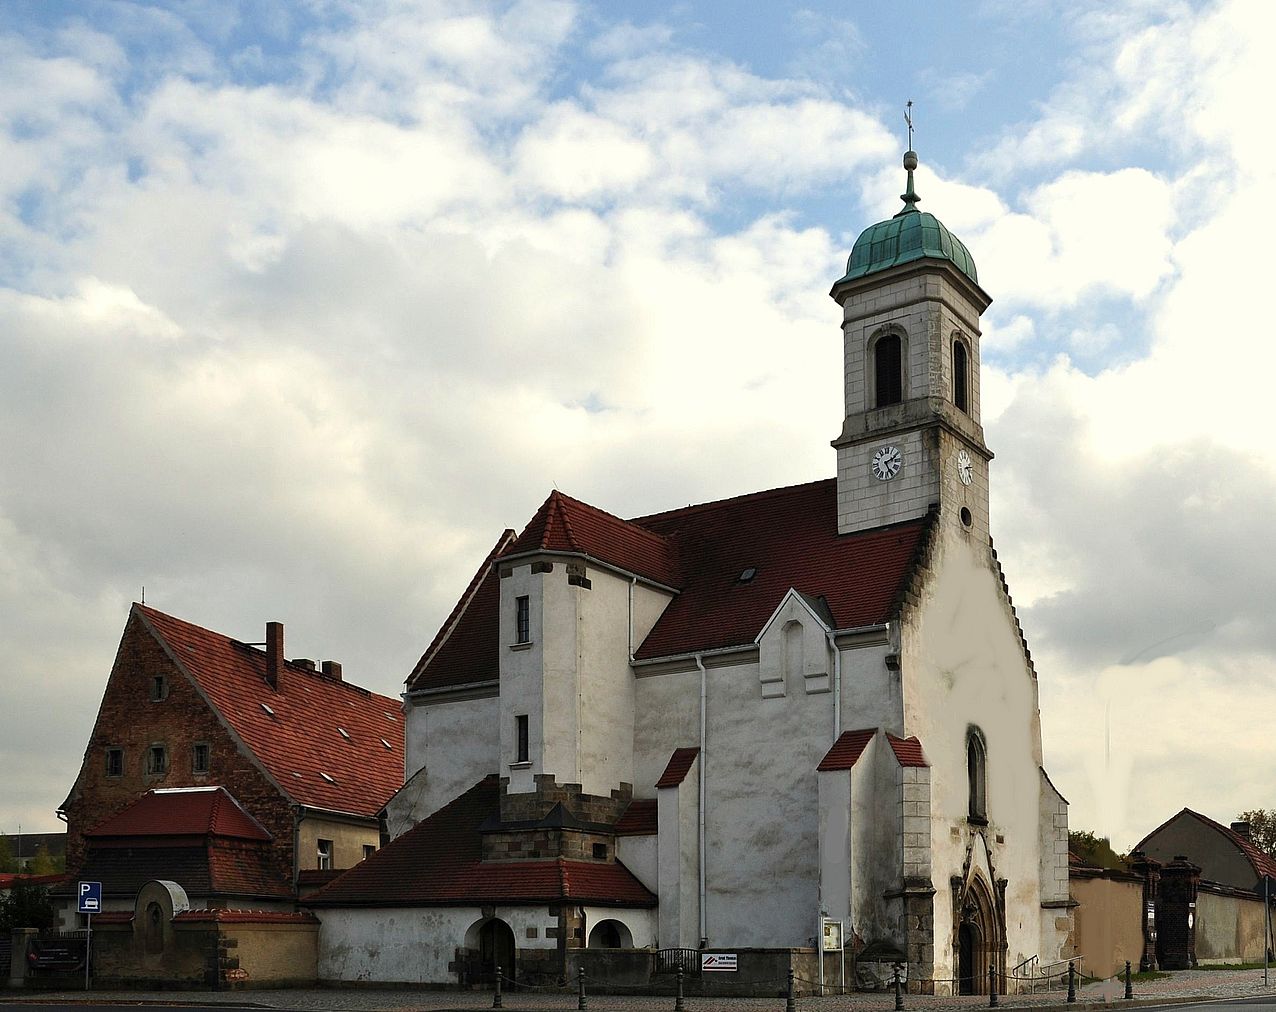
{"x": 303, "y": 303}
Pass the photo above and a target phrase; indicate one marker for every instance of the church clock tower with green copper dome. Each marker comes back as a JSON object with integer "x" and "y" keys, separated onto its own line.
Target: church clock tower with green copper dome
{"x": 913, "y": 437}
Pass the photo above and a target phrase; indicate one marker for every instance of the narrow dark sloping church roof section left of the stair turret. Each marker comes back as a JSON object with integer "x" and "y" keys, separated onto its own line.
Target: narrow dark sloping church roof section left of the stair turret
{"x": 466, "y": 648}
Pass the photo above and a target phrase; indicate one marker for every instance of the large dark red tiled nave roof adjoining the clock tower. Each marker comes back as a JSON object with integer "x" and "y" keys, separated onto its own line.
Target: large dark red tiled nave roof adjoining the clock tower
{"x": 789, "y": 538}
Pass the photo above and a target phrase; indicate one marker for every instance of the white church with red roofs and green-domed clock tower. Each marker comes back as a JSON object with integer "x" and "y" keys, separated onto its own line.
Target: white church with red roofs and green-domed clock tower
{"x": 729, "y": 724}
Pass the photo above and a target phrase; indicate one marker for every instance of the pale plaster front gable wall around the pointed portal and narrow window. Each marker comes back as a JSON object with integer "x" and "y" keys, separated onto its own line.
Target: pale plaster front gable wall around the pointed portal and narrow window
{"x": 964, "y": 664}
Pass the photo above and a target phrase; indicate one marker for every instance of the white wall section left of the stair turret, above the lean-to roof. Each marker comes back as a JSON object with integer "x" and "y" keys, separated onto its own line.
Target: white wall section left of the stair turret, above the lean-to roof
{"x": 451, "y": 747}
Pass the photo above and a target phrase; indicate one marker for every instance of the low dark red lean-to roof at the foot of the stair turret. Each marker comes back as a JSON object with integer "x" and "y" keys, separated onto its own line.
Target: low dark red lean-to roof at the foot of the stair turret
{"x": 440, "y": 863}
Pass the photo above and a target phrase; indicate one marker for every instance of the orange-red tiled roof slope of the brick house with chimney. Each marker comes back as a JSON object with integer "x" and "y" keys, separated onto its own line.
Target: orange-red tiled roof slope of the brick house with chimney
{"x": 300, "y": 740}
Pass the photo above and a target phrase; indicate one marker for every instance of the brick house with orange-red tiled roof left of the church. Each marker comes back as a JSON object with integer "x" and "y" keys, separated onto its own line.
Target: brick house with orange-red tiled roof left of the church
{"x": 308, "y": 757}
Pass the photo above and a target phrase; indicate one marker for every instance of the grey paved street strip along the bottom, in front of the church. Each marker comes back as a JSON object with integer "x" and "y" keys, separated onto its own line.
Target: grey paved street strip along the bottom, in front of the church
{"x": 1178, "y": 987}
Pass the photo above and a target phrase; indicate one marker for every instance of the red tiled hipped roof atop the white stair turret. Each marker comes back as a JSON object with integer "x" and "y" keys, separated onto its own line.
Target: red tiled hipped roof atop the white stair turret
{"x": 567, "y": 525}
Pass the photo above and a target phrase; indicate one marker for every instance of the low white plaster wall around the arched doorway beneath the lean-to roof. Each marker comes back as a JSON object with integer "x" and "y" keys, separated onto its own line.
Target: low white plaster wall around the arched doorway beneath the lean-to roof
{"x": 413, "y": 945}
